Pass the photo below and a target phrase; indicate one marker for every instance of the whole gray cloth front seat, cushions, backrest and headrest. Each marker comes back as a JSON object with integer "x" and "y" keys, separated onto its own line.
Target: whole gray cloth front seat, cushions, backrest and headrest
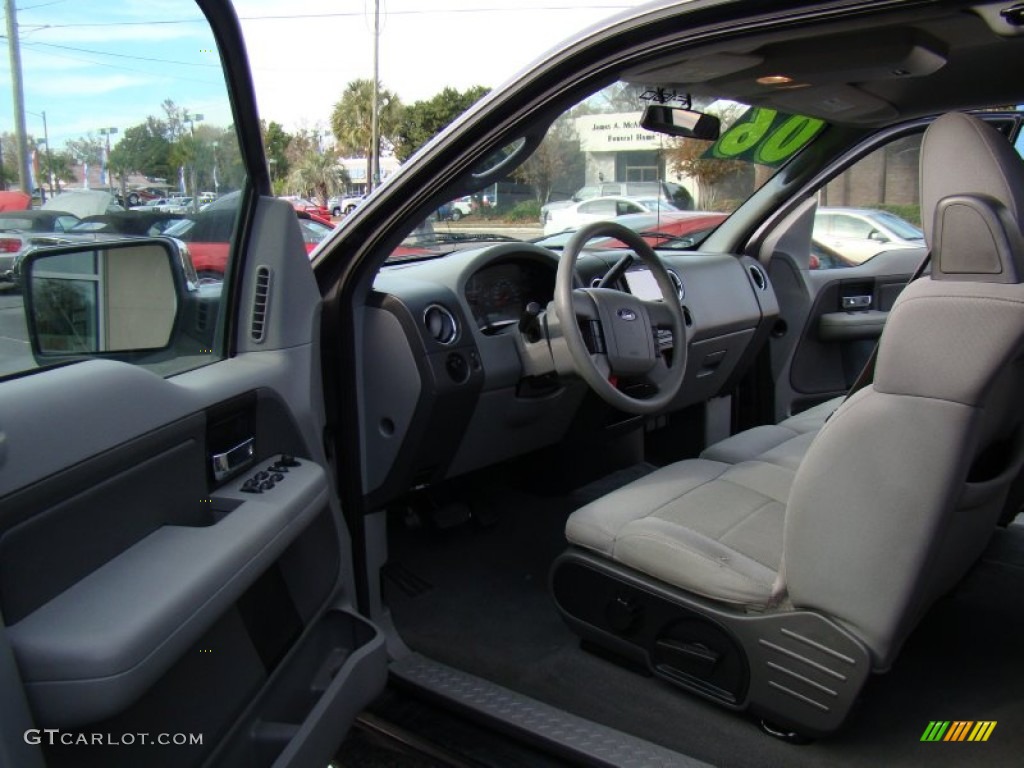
{"x": 884, "y": 507}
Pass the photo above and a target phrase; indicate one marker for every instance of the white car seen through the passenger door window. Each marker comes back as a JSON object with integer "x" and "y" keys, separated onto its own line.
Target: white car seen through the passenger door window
{"x": 860, "y": 234}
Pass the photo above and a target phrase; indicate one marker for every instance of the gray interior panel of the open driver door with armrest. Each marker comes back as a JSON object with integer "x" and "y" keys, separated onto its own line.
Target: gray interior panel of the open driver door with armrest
{"x": 143, "y": 596}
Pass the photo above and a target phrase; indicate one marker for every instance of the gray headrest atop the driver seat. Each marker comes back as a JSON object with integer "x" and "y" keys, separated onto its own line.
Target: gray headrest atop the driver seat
{"x": 972, "y": 201}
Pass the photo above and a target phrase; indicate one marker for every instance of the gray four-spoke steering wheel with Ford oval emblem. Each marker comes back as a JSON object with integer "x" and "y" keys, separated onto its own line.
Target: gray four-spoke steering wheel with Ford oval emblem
{"x": 623, "y": 327}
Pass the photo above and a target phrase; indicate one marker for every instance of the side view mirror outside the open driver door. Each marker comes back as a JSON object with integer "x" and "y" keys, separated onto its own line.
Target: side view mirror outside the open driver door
{"x": 121, "y": 300}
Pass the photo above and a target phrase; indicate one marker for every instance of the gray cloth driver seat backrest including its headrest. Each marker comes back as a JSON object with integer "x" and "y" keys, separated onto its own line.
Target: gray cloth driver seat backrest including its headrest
{"x": 904, "y": 487}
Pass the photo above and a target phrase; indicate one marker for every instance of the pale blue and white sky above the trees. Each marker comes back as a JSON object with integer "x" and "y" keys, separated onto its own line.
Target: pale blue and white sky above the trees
{"x": 109, "y": 64}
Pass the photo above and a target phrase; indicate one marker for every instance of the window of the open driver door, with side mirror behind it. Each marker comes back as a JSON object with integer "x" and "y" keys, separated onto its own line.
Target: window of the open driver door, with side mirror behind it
{"x": 109, "y": 123}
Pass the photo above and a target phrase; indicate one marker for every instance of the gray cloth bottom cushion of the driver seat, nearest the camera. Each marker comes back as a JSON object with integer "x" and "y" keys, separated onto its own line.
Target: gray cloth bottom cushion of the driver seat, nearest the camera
{"x": 710, "y": 528}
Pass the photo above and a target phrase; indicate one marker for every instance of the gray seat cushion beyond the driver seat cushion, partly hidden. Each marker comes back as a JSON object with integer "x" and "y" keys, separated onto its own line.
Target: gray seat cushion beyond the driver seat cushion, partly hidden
{"x": 786, "y": 442}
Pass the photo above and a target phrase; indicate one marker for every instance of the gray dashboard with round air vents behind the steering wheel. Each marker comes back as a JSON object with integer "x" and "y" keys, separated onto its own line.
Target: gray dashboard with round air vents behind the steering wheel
{"x": 448, "y": 389}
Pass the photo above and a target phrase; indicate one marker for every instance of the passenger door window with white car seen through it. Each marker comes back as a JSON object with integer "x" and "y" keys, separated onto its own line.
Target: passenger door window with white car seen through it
{"x": 861, "y": 210}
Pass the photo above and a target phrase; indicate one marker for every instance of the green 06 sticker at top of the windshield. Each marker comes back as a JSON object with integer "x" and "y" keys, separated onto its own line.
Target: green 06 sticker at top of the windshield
{"x": 765, "y": 137}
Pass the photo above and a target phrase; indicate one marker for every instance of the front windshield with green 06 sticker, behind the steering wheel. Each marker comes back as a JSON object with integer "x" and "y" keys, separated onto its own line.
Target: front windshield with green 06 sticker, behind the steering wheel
{"x": 596, "y": 163}
